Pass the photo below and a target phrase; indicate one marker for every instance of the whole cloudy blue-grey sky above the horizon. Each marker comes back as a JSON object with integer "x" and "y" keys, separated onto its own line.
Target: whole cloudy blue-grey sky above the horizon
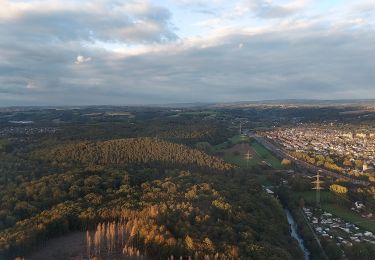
{"x": 120, "y": 52}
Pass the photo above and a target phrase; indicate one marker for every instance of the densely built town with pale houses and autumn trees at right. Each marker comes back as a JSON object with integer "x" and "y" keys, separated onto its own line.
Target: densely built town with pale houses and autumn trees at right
{"x": 347, "y": 149}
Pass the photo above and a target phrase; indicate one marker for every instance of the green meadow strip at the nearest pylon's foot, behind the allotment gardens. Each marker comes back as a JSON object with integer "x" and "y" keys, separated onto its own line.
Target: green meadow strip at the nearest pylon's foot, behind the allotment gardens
{"x": 331, "y": 203}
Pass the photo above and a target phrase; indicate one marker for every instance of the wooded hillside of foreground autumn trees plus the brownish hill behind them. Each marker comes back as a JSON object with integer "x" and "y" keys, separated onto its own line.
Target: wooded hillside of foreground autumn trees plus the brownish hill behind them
{"x": 143, "y": 197}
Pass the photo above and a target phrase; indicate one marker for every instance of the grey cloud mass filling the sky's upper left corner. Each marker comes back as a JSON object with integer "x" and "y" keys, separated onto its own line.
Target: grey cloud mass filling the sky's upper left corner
{"x": 106, "y": 21}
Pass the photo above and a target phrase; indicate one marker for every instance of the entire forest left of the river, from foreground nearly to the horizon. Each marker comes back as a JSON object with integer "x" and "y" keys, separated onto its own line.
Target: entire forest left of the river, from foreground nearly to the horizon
{"x": 134, "y": 187}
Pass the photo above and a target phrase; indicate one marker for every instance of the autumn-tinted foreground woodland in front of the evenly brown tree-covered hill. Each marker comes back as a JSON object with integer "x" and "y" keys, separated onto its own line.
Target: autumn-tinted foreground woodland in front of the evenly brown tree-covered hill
{"x": 177, "y": 212}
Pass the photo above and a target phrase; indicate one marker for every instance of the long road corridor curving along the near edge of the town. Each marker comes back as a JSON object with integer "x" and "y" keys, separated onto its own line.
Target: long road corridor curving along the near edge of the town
{"x": 302, "y": 164}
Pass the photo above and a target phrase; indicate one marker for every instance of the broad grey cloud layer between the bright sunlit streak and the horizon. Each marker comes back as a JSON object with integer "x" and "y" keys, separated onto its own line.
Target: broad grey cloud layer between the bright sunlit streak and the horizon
{"x": 268, "y": 66}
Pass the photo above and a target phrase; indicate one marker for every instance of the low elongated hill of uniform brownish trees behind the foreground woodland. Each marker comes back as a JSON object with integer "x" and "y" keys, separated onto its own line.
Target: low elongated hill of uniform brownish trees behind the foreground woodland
{"x": 133, "y": 151}
